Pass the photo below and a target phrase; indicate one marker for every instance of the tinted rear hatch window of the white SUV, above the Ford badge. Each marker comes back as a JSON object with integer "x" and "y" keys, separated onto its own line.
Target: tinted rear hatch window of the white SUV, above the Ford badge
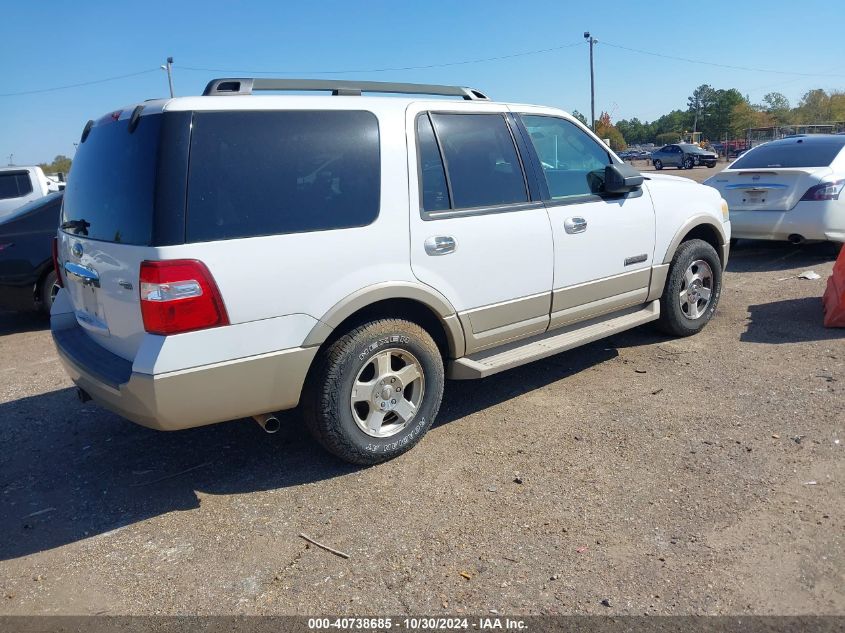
{"x": 110, "y": 190}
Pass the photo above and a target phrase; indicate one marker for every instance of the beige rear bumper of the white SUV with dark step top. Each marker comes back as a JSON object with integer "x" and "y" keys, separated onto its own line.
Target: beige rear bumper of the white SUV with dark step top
{"x": 181, "y": 399}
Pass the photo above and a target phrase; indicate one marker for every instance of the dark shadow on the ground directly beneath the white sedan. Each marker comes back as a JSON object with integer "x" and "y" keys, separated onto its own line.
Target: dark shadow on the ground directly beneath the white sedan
{"x": 760, "y": 256}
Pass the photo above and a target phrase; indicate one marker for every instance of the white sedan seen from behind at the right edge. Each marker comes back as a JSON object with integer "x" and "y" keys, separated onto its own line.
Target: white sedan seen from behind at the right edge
{"x": 787, "y": 189}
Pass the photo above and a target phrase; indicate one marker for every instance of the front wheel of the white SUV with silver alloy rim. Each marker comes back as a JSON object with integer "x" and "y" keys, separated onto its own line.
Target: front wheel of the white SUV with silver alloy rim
{"x": 695, "y": 265}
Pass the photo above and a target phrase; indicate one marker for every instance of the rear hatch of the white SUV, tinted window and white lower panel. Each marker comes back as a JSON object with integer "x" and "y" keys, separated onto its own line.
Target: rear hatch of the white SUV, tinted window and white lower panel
{"x": 109, "y": 224}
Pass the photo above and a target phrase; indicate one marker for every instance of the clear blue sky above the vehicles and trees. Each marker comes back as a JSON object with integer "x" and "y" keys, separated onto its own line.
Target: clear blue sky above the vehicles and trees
{"x": 541, "y": 53}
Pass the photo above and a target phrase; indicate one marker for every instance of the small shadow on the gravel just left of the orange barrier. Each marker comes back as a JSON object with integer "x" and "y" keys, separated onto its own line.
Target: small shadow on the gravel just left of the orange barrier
{"x": 789, "y": 321}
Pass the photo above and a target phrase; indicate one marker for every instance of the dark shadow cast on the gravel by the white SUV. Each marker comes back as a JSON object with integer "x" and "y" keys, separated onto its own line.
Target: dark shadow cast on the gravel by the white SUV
{"x": 70, "y": 471}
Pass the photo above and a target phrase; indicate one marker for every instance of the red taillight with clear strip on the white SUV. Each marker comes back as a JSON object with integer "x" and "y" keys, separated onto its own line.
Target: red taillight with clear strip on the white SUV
{"x": 178, "y": 296}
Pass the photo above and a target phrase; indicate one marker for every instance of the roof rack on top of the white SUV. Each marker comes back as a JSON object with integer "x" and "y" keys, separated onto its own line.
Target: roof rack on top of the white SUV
{"x": 247, "y": 86}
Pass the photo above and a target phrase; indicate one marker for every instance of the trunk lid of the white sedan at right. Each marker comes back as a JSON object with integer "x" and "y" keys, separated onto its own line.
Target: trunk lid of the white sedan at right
{"x": 767, "y": 189}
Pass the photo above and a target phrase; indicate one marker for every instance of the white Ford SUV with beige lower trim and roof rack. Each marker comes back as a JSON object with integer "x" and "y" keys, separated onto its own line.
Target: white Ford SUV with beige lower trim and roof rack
{"x": 226, "y": 255}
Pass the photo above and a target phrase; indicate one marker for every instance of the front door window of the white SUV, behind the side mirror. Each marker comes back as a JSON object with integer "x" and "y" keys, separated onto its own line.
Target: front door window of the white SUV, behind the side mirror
{"x": 568, "y": 156}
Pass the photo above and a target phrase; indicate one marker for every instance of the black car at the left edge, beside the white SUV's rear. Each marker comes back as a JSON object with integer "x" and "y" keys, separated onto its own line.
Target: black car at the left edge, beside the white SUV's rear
{"x": 27, "y": 276}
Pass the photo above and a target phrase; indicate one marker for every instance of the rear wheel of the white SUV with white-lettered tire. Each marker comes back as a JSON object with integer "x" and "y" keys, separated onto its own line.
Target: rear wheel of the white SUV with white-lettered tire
{"x": 355, "y": 432}
